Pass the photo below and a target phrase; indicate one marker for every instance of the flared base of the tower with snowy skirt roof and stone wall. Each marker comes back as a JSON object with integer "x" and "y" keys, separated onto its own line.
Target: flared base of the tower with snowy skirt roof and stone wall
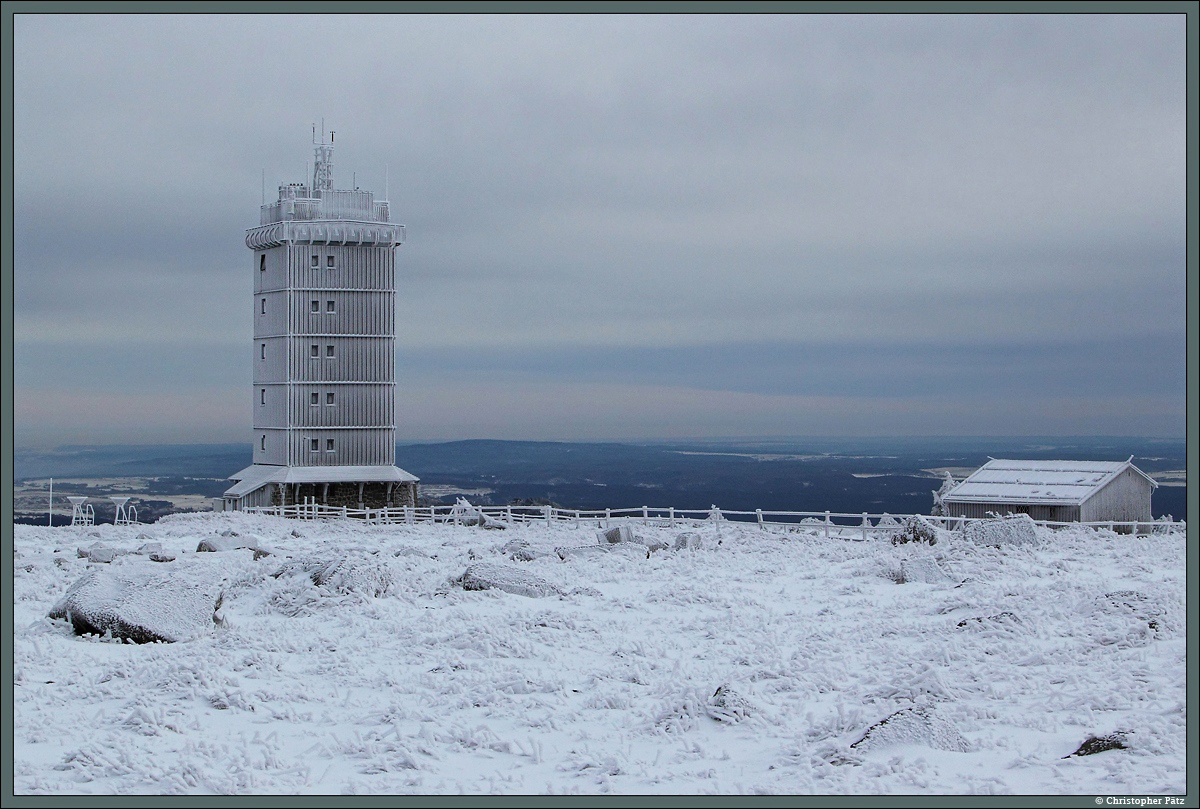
{"x": 352, "y": 487}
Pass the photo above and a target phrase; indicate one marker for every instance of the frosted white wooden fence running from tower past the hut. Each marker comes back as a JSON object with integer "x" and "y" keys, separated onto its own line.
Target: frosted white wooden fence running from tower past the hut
{"x": 830, "y": 524}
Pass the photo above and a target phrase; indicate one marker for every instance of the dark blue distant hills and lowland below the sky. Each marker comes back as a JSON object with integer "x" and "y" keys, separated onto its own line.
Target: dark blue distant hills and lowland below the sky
{"x": 796, "y": 475}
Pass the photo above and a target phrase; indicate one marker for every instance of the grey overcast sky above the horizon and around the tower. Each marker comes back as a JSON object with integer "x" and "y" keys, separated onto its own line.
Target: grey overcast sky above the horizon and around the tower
{"x": 621, "y": 227}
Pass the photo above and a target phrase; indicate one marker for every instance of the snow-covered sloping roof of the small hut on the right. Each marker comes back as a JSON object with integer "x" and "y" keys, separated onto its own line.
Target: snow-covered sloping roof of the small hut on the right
{"x": 1064, "y": 483}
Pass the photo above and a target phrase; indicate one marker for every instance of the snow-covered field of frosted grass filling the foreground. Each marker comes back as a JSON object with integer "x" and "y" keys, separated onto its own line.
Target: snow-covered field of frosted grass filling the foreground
{"x": 391, "y": 678}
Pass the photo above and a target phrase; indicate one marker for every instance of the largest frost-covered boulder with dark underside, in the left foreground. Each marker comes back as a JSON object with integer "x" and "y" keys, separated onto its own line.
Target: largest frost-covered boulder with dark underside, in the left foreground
{"x": 140, "y": 607}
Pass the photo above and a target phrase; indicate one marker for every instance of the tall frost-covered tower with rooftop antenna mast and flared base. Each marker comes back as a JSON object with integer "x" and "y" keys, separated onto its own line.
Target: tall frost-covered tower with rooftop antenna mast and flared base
{"x": 325, "y": 352}
